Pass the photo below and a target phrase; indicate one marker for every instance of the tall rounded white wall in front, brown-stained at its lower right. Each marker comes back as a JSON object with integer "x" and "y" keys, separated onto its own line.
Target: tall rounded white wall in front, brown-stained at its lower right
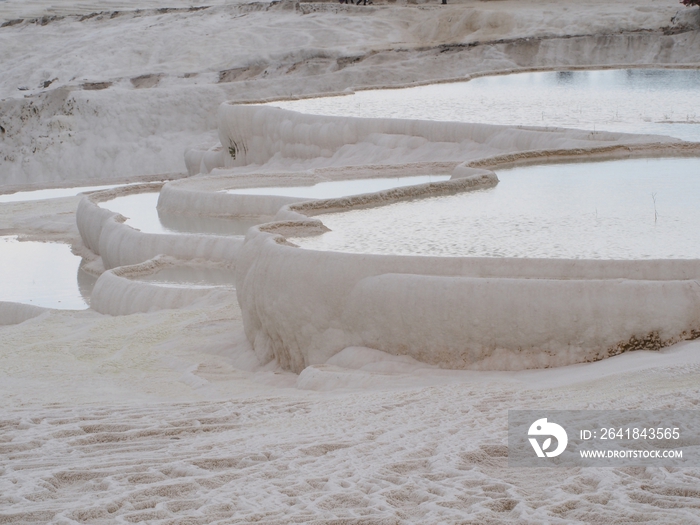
{"x": 302, "y": 307}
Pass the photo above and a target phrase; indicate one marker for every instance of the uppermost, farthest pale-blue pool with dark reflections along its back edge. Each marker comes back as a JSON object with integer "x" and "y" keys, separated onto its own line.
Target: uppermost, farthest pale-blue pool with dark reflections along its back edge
{"x": 658, "y": 101}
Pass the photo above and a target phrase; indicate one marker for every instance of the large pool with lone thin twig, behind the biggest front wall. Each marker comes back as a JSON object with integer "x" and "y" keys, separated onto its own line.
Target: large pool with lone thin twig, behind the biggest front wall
{"x": 622, "y": 209}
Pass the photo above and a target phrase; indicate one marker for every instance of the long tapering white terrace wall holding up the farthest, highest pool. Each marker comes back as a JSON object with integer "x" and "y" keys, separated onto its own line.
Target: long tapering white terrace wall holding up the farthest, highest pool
{"x": 262, "y": 134}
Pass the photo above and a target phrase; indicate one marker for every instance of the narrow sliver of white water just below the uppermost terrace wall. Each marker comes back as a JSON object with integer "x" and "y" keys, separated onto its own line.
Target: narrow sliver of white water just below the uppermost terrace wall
{"x": 341, "y": 188}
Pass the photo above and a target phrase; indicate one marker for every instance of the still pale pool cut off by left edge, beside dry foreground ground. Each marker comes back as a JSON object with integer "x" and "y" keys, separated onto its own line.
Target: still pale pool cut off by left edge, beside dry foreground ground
{"x": 40, "y": 273}
